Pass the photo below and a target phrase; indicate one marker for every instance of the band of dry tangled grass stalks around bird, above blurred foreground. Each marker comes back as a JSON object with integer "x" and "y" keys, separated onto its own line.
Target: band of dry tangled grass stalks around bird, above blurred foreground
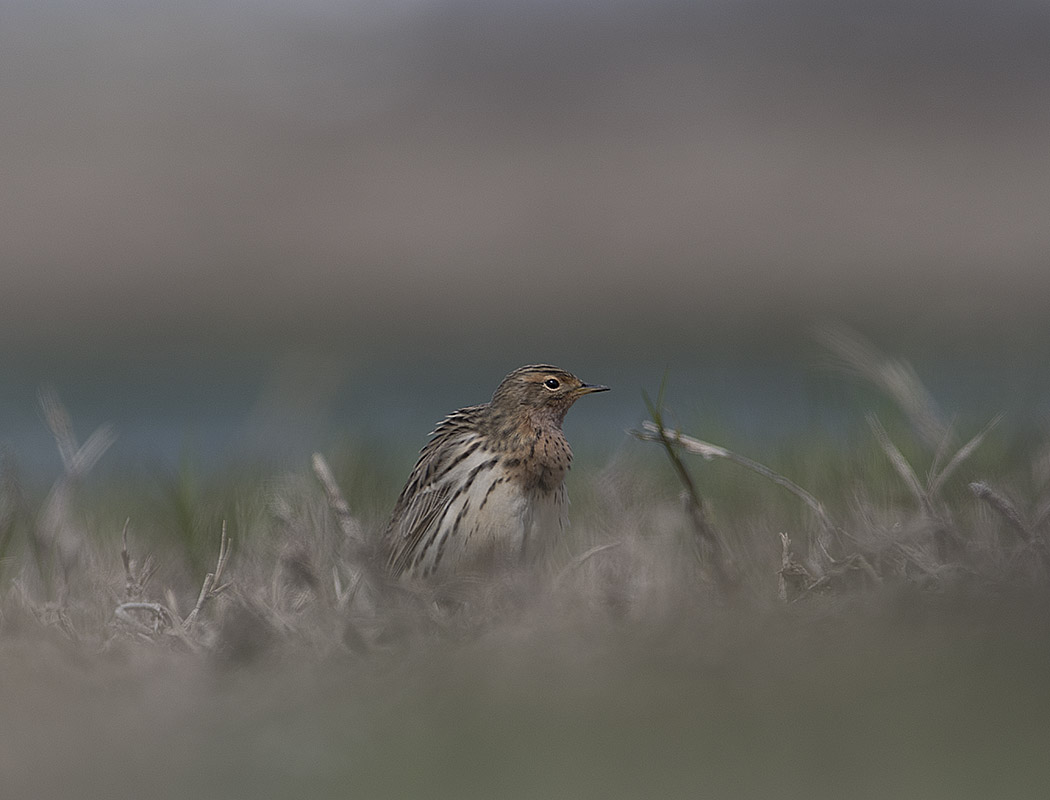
{"x": 303, "y": 569}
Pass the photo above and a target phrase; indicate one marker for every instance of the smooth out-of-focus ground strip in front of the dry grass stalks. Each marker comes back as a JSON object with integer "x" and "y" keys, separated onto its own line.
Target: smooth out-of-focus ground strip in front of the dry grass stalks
{"x": 904, "y": 698}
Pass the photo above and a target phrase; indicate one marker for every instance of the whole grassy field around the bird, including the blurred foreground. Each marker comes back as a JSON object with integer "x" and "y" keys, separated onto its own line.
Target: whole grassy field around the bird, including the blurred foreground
{"x": 863, "y": 619}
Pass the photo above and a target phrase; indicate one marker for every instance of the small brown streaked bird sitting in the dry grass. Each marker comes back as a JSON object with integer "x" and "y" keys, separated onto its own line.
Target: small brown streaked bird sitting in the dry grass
{"x": 490, "y": 485}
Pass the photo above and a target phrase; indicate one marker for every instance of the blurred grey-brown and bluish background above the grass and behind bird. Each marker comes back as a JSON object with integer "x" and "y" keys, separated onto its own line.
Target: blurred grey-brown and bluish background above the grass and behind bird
{"x": 255, "y": 226}
